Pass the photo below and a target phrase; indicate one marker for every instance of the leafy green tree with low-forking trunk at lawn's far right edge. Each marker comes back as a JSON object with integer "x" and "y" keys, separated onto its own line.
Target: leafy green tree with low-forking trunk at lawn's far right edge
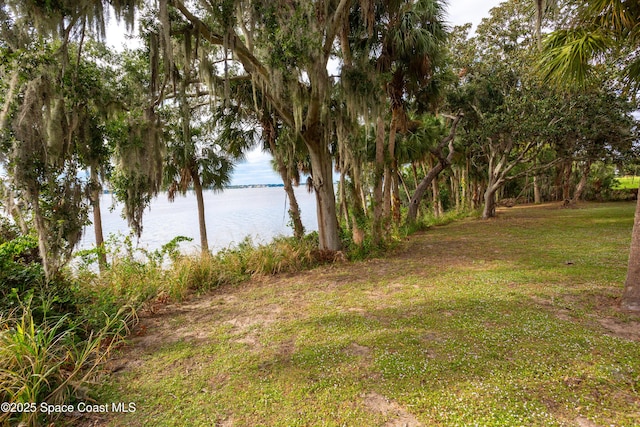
{"x": 502, "y": 99}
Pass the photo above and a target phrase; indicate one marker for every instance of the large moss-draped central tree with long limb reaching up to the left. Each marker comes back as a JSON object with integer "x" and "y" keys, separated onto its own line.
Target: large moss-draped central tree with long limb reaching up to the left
{"x": 284, "y": 49}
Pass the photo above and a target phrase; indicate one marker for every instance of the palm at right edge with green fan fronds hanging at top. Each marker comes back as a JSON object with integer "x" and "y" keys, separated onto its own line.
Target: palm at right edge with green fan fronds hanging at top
{"x": 607, "y": 29}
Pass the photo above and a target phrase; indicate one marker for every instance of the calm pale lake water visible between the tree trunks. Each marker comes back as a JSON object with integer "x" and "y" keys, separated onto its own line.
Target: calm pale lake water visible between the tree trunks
{"x": 230, "y": 216}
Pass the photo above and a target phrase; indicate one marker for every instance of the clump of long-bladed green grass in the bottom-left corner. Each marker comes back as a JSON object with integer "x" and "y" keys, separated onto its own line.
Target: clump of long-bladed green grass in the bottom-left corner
{"x": 51, "y": 361}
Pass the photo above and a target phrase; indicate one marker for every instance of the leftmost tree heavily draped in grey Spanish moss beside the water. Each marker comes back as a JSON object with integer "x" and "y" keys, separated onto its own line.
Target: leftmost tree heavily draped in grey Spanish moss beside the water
{"x": 57, "y": 113}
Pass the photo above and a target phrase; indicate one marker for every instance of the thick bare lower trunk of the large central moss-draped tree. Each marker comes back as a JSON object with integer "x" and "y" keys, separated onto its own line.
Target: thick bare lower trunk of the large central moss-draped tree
{"x": 322, "y": 167}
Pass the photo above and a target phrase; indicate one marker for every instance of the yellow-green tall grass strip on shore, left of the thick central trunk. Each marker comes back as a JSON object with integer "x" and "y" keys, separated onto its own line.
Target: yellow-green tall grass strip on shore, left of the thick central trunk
{"x": 137, "y": 278}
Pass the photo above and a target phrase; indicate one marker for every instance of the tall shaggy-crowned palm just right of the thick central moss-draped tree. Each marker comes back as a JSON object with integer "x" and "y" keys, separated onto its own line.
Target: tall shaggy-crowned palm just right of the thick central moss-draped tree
{"x": 397, "y": 48}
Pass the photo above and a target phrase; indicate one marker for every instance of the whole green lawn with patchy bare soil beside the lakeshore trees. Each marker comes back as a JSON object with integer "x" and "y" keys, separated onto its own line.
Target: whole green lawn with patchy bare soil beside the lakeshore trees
{"x": 506, "y": 322}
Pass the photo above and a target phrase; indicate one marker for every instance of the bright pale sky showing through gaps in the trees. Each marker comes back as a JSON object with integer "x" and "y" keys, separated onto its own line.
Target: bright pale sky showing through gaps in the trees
{"x": 256, "y": 168}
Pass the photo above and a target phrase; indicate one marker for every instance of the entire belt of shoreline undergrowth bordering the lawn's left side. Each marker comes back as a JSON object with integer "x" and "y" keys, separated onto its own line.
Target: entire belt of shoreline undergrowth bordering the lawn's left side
{"x": 56, "y": 335}
